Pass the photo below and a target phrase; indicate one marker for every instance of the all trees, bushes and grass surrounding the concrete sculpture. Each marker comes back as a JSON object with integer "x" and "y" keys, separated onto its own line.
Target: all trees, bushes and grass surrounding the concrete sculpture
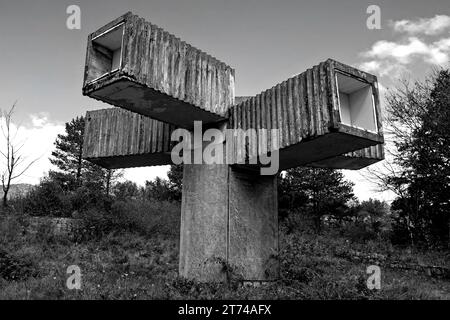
{"x": 127, "y": 237}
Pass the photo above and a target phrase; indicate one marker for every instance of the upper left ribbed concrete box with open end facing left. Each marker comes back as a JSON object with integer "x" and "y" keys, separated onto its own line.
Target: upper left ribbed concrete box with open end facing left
{"x": 133, "y": 64}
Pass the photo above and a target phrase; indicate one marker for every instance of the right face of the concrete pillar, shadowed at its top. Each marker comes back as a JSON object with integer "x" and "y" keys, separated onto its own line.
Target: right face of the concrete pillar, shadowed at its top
{"x": 253, "y": 225}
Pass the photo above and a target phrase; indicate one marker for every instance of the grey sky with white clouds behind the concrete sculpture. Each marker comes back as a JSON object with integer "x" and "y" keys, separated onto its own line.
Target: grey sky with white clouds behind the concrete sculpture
{"x": 266, "y": 42}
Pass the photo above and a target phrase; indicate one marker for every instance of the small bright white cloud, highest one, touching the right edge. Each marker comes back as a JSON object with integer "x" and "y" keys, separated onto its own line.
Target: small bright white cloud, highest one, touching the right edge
{"x": 427, "y": 26}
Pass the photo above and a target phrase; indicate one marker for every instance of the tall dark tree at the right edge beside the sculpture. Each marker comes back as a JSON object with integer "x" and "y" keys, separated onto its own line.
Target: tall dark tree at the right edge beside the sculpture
{"x": 418, "y": 123}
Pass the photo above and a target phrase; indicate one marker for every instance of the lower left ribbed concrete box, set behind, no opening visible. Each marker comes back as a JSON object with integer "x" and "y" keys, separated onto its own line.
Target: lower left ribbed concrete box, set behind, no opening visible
{"x": 117, "y": 138}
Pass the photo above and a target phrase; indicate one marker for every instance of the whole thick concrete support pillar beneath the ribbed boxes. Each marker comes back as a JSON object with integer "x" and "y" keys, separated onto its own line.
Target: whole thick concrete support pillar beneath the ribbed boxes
{"x": 229, "y": 223}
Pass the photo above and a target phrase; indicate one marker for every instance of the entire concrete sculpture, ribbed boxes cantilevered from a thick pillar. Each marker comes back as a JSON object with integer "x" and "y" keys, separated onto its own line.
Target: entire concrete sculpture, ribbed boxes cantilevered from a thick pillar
{"x": 328, "y": 116}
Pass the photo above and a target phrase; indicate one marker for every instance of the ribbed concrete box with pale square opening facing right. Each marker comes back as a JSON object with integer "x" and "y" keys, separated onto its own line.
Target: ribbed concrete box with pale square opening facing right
{"x": 329, "y": 110}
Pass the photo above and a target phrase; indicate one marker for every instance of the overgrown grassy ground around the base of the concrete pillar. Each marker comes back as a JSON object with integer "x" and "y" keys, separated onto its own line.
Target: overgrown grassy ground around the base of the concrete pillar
{"x": 125, "y": 264}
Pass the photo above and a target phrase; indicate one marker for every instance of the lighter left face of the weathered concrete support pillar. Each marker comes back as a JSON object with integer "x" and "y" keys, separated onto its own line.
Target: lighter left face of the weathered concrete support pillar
{"x": 204, "y": 220}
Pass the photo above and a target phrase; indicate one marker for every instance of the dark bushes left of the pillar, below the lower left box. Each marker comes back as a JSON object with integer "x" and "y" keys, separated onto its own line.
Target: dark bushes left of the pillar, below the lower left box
{"x": 102, "y": 214}
